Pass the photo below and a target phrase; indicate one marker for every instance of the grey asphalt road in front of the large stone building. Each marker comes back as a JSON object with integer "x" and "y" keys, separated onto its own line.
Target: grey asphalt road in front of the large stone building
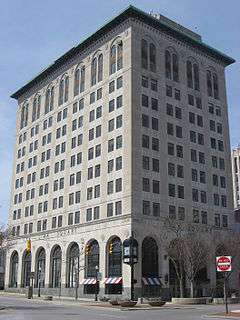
{"x": 19, "y": 308}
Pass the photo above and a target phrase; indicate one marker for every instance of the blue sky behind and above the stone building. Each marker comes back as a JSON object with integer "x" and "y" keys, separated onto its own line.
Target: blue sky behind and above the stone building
{"x": 34, "y": 33}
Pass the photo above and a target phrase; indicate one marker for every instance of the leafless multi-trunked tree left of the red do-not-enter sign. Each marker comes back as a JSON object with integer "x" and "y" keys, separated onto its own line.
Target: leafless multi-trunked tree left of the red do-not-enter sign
{"x": 187, "y": 246}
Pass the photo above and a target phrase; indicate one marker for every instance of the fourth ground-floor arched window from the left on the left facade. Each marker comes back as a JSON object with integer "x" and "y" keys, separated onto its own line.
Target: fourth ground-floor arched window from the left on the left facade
{"x": 56, "y": 266}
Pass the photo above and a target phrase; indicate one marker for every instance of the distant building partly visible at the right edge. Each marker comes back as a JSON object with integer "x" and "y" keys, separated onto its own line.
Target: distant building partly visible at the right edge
{"x": 236, "y": 176}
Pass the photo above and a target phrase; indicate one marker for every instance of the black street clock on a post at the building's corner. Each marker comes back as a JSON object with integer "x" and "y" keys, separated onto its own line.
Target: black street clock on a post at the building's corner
{"x": 130, "y": 256}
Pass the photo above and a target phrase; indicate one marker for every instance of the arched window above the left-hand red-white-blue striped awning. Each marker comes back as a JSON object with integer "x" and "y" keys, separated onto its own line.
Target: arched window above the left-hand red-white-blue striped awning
{"x": 91, "y": 259}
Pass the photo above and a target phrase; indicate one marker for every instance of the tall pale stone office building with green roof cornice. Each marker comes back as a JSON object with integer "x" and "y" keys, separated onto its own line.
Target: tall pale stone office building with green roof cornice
{"x": 126, "y": 128}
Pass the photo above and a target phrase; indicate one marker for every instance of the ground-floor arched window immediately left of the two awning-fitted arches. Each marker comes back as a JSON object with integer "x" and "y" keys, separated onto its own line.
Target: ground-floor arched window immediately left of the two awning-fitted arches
{"x": 73, "y": 266}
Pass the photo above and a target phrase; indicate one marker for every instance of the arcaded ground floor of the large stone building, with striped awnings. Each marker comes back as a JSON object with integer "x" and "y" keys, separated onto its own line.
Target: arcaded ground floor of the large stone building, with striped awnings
{"x": 88, "y": 261}
